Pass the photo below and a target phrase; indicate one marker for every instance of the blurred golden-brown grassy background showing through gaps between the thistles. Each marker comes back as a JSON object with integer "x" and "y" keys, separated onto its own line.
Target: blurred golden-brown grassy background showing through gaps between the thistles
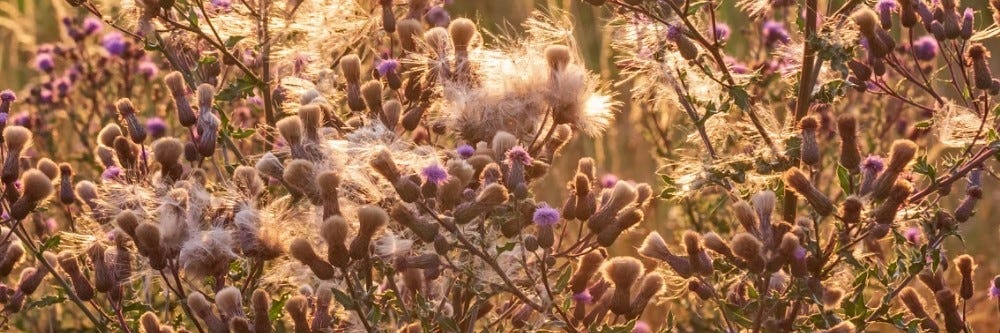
{"x": 625, "y": 151}
